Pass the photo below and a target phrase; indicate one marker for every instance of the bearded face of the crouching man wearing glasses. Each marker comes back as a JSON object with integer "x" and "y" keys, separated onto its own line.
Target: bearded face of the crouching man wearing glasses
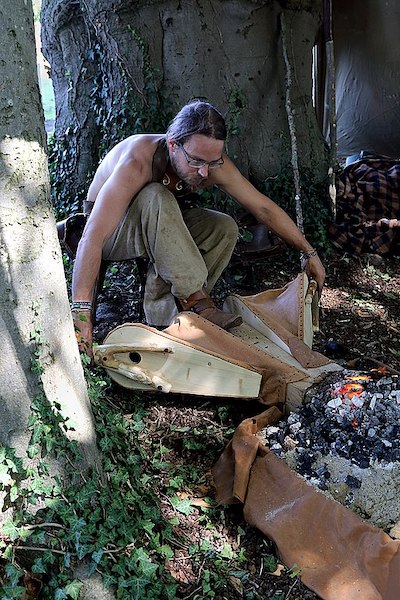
{"x": 198, "y": 148}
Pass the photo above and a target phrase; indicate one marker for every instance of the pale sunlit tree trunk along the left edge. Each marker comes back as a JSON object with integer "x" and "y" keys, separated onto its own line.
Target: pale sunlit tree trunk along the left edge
{"x": 39, "y": 351}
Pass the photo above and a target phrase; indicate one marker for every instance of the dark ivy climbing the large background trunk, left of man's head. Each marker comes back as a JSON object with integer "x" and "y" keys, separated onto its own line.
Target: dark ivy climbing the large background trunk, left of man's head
{"x": 128, "y": 113}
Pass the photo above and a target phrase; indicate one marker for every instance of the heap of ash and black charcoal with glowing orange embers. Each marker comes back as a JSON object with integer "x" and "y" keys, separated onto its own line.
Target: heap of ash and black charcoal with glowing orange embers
{"x": 345, "y": 441}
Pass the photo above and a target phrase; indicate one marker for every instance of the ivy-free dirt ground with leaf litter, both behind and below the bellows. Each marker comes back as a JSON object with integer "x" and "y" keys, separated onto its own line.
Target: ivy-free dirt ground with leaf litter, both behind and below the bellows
{"x": 359, "y": 321}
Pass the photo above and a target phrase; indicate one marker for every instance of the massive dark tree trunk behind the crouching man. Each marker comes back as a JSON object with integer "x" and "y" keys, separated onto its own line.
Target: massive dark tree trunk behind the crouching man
{"x": 147, "y": 57}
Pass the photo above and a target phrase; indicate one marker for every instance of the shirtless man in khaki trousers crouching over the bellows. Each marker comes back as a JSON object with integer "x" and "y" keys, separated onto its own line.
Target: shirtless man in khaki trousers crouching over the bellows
{"x": 137, "y": 208}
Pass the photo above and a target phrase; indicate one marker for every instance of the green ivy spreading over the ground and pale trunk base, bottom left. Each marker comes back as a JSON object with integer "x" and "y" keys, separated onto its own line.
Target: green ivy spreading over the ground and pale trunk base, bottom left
{"x": 114, "y": 526}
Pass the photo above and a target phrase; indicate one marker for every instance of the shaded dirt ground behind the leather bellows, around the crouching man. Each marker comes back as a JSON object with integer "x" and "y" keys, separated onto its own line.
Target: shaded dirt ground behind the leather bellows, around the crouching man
{"x": 359, "y": 307}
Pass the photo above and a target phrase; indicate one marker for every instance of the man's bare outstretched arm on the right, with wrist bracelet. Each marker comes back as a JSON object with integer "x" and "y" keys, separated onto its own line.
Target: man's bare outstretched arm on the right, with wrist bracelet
{"x": 267, "y": 212}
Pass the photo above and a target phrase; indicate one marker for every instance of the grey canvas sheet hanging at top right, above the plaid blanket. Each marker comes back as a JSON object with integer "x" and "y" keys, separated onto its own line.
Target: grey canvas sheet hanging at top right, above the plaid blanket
{"x": 367, "y": 63}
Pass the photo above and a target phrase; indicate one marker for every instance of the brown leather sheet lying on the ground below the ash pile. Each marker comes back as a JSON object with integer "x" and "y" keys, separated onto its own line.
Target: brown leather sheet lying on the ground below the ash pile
{"x": 339, "y": 556}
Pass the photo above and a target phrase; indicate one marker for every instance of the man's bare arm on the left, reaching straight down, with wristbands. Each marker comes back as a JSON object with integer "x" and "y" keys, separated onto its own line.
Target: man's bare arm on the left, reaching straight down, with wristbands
{"x": 127, "y": 179}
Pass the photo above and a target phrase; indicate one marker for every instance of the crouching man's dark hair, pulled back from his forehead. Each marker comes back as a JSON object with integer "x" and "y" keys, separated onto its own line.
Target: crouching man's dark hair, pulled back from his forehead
{"x": 197, "y": 117}
